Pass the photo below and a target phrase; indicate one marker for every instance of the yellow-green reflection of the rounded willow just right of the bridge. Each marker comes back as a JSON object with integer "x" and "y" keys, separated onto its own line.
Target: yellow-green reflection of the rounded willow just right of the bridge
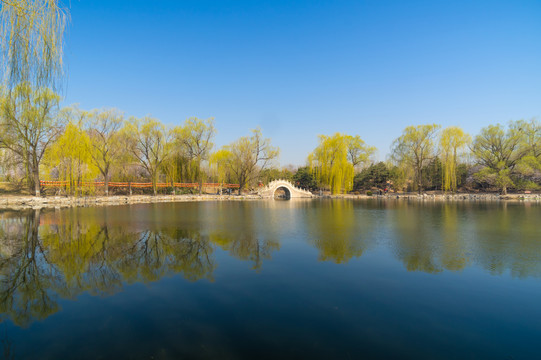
{"x": 338, "y": 231}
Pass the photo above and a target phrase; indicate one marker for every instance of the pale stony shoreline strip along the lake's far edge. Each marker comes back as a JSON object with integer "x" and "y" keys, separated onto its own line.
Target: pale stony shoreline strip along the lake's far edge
{"x": 32, "y": 202}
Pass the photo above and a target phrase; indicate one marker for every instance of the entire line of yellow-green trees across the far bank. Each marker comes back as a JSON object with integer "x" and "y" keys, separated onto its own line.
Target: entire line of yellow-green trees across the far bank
{"x": 41, "y": 141}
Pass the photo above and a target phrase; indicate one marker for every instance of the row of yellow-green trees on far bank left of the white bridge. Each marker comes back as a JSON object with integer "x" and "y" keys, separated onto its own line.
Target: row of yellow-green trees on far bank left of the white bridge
{"x": 41, "y": 141}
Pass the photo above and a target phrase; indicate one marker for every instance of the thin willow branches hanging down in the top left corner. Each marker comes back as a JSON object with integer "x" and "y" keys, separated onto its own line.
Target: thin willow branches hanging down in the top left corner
{"x": 32, "y": 42}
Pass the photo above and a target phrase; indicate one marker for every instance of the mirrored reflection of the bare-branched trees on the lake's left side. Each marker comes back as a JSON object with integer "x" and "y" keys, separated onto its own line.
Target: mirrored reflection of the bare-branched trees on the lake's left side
{"x": 73, "y": 253}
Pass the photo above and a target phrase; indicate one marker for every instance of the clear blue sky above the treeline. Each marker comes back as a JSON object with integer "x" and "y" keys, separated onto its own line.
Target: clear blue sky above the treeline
{"x": 302, "y": 68}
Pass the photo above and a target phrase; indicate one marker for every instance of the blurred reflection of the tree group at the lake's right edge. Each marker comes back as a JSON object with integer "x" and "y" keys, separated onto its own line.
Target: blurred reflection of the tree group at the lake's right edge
{"x": 450, "y": 236}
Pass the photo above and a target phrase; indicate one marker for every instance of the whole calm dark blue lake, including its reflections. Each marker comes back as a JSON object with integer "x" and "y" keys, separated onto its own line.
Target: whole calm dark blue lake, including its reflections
{"x": 317, "y": 279}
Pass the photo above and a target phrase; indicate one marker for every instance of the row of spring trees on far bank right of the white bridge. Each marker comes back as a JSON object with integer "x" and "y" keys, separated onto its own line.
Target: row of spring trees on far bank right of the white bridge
{"x": 426, "y": 157}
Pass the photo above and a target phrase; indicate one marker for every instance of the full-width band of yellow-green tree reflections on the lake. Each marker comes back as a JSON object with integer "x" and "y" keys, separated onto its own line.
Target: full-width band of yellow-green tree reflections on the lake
{"x": 50, "y": 255}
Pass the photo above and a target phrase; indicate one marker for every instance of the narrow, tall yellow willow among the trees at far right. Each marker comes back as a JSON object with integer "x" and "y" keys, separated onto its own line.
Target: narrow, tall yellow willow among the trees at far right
{"x": 453, "y": 142}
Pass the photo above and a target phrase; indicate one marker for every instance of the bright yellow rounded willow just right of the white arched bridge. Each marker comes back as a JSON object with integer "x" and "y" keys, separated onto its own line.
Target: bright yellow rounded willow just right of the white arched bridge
{"x": 333, "y": 161}
